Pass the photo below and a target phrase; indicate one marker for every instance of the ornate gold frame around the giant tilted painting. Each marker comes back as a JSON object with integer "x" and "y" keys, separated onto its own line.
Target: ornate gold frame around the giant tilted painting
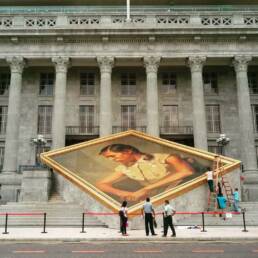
{"x": 229, "y": 165}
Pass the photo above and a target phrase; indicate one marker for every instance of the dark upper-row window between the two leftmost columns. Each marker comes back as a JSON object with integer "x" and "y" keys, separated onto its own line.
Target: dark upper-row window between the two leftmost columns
{"x": 46, "y": 84}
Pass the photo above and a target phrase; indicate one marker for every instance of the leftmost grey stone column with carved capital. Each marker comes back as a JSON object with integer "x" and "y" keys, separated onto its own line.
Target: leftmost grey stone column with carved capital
{"x": 12, "y": 129}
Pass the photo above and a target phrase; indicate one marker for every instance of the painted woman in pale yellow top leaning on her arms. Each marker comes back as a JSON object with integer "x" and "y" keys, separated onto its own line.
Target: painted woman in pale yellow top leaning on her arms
{"x": 152, "y": 171}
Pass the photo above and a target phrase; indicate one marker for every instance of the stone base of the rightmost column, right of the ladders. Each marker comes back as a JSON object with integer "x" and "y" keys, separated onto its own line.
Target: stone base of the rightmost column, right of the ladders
{"x": 250, "y": 186}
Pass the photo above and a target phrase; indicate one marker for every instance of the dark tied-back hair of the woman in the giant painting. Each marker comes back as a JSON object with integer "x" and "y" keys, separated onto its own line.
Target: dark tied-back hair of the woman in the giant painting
{"x": 124, "y": 148}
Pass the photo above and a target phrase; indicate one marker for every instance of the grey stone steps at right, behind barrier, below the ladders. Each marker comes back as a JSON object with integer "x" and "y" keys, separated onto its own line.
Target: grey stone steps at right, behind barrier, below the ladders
{"x": 251, "y": 217}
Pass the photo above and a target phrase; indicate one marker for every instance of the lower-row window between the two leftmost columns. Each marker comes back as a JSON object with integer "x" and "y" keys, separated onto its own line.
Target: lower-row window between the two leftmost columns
{"x": 44, "y": 119}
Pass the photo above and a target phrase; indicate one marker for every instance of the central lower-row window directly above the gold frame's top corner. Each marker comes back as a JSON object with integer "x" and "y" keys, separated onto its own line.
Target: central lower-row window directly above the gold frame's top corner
{"x": 128, "y": 116}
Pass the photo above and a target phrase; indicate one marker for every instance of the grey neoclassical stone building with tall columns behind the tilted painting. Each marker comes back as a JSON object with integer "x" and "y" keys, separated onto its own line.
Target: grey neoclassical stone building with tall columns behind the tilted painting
{"x": 77, "y": 70}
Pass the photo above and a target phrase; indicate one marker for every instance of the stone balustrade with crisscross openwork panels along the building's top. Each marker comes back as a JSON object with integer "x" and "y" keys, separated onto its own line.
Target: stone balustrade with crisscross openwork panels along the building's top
{"x": 159, "y": 20}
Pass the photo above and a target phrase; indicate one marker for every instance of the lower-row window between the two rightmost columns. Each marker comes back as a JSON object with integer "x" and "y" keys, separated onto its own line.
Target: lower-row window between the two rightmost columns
{"x": 213, "y": 118}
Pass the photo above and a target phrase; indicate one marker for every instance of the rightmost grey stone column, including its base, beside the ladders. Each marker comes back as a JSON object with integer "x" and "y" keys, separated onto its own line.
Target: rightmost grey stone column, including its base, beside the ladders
{"x": 247, "y": 142}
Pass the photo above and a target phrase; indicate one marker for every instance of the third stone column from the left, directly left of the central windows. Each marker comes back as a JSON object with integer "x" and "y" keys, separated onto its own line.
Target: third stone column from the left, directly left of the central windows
{"x": 106, "y": 64}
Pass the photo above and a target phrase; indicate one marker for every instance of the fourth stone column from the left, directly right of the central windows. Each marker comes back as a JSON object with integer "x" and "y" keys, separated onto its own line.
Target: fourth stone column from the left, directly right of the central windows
{"x": 152, "y": 100}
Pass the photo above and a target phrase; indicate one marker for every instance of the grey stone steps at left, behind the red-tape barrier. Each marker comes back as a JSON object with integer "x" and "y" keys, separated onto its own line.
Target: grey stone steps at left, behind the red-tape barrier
{"x": 59, "y": 214}
